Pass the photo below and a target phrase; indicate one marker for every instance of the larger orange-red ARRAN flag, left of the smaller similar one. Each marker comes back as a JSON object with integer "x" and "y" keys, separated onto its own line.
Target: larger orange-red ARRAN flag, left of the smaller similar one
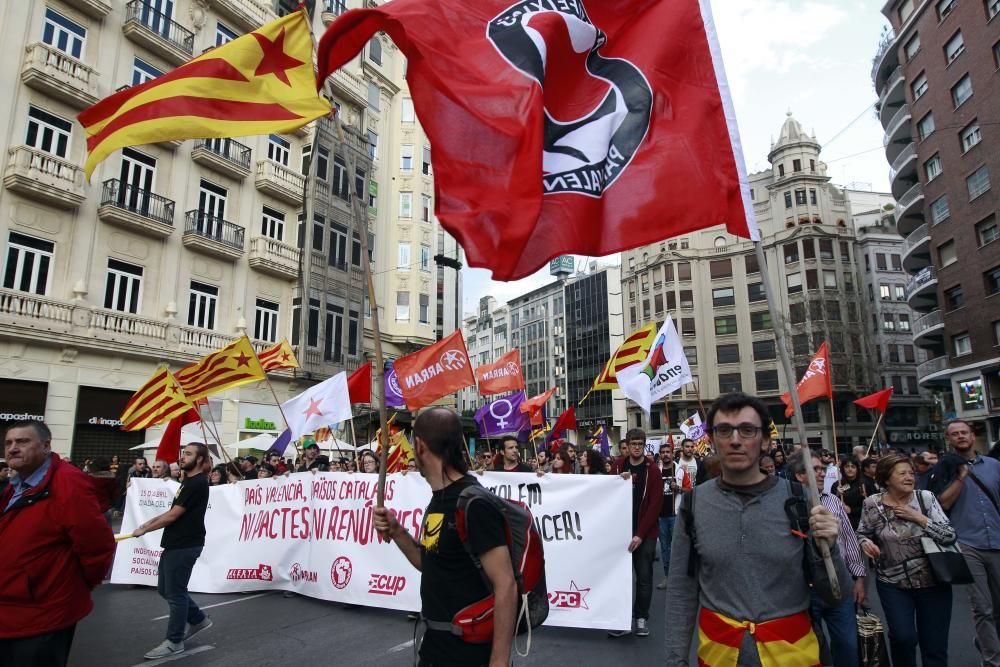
{"x": 434, "y": 371}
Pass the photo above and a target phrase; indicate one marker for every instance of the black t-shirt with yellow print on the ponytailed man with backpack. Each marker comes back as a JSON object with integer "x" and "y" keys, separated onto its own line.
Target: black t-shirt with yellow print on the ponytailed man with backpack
{"x": 450, "y": 580}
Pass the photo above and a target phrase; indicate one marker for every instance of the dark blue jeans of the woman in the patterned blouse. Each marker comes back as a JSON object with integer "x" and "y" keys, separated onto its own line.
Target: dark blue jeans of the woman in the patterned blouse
{"x": 917, "y": 616}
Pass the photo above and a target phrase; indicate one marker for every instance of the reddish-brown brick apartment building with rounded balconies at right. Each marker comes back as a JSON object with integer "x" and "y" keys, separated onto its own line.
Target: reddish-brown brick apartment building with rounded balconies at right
{"x": 935, "y": 75}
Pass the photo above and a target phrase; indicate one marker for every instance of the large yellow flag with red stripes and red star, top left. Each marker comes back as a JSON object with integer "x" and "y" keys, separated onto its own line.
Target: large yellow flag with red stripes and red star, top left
{"x": 260, "y": 83}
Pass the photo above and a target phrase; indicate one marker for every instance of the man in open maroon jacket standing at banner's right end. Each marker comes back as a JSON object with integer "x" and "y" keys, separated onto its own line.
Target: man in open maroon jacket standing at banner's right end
{"x": 647, "y": 498}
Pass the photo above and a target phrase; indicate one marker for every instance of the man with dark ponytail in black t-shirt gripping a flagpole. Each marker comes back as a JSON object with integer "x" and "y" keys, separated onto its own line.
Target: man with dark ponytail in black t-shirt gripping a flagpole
{"x": 456, "y": 573}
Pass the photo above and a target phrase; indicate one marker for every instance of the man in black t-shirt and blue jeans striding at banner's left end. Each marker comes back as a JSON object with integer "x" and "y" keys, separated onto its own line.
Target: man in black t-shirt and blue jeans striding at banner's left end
{"x": 182, "y": 542}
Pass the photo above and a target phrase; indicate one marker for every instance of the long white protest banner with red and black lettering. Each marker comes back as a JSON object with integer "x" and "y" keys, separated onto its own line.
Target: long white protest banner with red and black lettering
{"x": 313, "y": 534}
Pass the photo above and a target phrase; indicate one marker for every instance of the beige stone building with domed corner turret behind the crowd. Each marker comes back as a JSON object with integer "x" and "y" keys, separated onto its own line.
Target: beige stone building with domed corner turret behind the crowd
{"x": 710, "y": 282}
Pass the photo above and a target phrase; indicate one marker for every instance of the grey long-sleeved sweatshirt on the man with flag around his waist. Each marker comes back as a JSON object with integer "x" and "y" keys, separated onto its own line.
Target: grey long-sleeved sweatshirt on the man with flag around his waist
{"x": 750, "y": 570}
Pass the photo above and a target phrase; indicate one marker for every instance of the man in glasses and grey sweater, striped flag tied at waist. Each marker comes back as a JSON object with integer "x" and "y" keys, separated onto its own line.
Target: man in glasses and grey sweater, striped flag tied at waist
{"x": 745, "y": 550}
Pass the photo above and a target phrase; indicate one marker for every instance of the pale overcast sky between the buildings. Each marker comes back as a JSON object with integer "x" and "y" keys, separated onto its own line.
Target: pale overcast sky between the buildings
{"x": 810, "y": 57}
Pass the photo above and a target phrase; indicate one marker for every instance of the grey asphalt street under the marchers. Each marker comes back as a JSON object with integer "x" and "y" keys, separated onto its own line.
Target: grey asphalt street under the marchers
{"x": 269, "y": 629}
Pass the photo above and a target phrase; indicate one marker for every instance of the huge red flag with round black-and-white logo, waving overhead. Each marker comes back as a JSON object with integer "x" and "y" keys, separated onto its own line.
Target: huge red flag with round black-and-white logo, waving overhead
{"x": 564, "y": 127}
